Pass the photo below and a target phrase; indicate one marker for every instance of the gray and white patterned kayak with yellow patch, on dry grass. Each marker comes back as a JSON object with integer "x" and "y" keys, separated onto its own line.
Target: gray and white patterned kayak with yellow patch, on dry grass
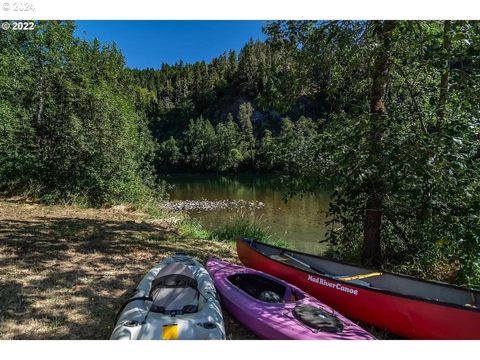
{"x": 175, "y": 300}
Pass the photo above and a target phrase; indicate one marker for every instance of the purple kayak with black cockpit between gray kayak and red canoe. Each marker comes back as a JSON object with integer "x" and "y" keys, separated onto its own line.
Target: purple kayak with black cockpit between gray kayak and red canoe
{"x": 276, "y": 310}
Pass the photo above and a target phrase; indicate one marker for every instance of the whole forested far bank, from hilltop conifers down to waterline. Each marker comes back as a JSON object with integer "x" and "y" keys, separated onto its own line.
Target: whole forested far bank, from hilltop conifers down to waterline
{"x": 219, "y": 117}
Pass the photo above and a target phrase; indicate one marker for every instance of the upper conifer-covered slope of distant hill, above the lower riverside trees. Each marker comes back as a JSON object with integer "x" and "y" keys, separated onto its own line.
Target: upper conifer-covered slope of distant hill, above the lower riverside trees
{"x": 259, "y": 74}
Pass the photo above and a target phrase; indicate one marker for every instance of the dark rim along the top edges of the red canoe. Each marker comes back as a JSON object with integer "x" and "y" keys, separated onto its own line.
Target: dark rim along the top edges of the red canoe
{"x": 249, "y": 243}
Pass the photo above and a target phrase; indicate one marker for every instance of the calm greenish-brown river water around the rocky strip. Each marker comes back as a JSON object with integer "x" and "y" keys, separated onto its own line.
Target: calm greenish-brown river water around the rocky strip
{"x": 300, "y": 220}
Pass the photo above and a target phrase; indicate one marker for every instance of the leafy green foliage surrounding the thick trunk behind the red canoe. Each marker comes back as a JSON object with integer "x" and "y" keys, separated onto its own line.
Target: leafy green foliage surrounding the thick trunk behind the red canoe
{"x": 421, "y": 158}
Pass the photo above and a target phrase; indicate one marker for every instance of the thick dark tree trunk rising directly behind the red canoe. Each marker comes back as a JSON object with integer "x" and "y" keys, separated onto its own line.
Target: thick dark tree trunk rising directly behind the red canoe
{"x": 371, "y": 254}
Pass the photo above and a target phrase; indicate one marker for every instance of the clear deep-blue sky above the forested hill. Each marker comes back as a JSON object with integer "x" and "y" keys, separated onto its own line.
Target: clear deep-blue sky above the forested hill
{"x": 149, "y": 43}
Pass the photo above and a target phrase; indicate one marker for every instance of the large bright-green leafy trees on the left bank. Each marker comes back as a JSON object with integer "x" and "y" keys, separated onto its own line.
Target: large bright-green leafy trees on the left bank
{"x": 71, "y": 119}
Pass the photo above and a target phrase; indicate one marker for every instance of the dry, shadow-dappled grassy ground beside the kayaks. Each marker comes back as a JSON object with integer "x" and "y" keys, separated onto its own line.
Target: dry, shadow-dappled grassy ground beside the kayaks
{"x": 65, "y": 271}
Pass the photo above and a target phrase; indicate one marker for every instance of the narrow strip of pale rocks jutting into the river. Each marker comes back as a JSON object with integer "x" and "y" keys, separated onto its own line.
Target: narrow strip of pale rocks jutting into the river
{"x": 209, "y": 205}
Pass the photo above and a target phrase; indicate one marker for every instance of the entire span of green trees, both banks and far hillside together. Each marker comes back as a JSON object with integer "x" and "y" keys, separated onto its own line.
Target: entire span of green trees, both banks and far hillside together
{"x": 386, "y": 113}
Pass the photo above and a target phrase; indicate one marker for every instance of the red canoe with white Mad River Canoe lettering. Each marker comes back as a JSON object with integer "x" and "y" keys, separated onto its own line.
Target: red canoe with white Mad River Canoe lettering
{"x": 403, "y": 305}
